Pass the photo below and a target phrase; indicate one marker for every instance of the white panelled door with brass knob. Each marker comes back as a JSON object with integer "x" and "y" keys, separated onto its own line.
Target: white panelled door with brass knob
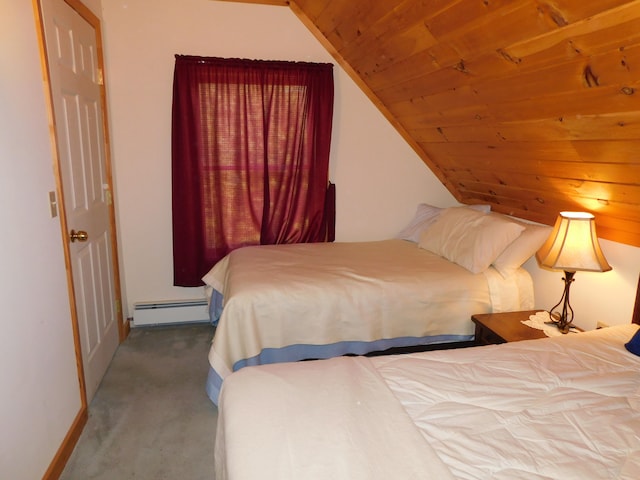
{"x": 76, "y": 91}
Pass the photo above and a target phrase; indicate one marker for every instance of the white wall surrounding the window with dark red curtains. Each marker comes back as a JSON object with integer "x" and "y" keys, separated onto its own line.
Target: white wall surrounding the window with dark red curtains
{"x": 379, "y": 178}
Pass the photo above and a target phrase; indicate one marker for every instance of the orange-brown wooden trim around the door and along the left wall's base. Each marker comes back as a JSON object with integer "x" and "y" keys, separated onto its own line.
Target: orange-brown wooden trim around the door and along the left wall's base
{"x": 66, "y": 448}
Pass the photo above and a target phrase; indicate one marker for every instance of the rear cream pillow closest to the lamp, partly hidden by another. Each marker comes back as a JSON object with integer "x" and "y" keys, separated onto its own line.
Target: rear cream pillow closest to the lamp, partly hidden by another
{"x": 522, "y": 248}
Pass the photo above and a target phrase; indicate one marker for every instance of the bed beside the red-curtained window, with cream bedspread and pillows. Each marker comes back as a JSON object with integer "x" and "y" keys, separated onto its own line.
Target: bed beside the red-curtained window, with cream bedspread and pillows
{"x": 311, "y": 301}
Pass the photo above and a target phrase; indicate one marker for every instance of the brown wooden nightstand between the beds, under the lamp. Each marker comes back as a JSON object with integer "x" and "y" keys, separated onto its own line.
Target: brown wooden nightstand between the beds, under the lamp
{"x": 493, "y": 328}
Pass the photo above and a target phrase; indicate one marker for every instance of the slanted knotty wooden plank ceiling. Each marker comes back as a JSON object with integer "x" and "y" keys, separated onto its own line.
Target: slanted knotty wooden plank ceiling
{"x": 532, "y": 106}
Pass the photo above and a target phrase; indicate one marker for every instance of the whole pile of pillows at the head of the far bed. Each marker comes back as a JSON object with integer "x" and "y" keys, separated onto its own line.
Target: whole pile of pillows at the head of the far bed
{"x": 474, "y": 238}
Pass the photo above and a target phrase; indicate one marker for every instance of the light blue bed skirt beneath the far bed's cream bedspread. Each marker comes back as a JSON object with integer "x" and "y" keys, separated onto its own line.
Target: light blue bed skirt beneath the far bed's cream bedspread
{"x": 293, "y": 353}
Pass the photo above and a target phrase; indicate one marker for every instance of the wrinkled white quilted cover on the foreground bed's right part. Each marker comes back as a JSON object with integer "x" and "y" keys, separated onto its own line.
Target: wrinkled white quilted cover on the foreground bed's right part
{"x": 562, "y": 408}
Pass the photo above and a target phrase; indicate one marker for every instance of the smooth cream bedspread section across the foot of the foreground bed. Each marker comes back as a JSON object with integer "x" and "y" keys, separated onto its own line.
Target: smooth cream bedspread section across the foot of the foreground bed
{"x": 316, "y": 423}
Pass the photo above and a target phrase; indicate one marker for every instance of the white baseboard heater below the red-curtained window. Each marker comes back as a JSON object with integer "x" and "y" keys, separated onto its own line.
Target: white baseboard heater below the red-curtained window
{"x": 166, "y": 313}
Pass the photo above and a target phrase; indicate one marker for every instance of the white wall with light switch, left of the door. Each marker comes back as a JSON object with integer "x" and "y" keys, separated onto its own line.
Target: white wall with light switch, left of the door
{"x": 40, "y": 392}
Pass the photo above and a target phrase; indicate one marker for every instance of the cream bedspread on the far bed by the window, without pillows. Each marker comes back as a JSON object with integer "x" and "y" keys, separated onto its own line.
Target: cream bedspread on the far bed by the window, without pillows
{"x": 320, "y": 294}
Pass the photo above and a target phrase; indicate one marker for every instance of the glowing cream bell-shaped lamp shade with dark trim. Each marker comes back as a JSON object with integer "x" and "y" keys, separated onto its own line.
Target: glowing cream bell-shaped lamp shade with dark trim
{"x": 573, "y": 245}
